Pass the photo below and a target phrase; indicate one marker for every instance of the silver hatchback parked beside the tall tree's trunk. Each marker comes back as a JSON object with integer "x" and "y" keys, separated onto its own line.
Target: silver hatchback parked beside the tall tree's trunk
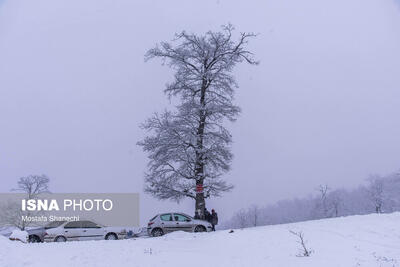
{"x": 175, "y": 221}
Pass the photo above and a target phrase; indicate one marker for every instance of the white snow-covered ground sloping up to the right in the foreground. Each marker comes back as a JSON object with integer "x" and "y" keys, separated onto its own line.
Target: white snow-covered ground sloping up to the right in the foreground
{"x": 370, "y": 240}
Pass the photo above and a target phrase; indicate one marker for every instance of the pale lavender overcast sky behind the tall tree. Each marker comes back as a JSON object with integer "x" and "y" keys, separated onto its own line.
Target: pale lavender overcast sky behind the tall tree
{"x": 322, "y": 107}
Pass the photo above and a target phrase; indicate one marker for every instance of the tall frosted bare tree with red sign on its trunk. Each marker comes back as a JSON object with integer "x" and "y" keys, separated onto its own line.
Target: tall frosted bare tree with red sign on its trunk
{"x": 189, "y": 149}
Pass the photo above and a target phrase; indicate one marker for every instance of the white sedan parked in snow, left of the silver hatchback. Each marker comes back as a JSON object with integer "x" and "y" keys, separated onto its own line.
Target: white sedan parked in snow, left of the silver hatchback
{"x": 83, "y": 230}
